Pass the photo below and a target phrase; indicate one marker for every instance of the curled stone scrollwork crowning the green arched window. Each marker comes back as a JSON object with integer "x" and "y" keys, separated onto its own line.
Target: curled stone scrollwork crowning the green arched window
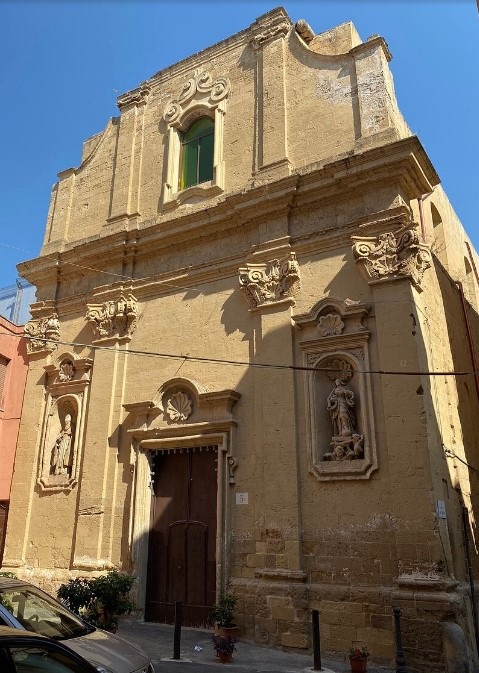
{"x": 203, "y": 87}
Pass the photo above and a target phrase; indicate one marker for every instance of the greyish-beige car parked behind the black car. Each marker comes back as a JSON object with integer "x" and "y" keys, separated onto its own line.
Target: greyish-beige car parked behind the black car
{"x": 24, "y": 606}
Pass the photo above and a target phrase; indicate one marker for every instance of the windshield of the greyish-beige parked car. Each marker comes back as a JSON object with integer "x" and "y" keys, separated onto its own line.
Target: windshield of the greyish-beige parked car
{"x": 37, "y": 612}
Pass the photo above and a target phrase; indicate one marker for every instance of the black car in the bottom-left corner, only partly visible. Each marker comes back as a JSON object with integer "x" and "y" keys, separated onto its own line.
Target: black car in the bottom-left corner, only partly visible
{"x": 26, "y": 652}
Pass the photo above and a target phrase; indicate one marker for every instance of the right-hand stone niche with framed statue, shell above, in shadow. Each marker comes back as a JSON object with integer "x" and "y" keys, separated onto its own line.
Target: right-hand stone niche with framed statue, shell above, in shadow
{"x": 340, "y": 434}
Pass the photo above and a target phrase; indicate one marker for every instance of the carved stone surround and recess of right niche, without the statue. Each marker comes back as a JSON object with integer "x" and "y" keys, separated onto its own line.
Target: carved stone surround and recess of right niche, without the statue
{"x": 333, "y": 331}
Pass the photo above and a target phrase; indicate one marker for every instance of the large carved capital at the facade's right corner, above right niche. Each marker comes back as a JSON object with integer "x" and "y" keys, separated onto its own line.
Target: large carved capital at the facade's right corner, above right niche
{"x": 392, "y": 256}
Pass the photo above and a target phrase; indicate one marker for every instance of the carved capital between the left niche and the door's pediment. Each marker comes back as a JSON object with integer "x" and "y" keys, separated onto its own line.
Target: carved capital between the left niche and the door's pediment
{"x": 114, "y": 318}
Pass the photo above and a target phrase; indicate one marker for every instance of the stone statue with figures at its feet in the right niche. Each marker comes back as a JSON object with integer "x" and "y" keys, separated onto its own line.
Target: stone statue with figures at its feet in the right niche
{"x": 346, "y": 442}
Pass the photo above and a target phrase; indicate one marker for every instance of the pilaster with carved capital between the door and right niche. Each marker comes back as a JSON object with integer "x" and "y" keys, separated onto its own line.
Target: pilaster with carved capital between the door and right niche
{"x": 270, "y": 286}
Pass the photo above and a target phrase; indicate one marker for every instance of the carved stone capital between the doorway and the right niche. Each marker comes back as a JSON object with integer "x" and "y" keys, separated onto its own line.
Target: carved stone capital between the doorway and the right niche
{"x": 266, "y": 283}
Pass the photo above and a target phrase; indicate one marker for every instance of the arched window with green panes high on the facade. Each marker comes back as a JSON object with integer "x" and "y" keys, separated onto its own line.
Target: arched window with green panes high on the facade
{"x": 197, "y": 153}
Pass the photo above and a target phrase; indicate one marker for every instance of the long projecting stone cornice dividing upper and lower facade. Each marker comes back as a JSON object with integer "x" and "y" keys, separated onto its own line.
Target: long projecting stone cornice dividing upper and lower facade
{"x": 404, "y": 162}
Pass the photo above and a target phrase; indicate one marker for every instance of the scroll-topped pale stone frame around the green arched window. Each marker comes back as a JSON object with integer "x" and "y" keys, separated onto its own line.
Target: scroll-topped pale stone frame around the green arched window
{"x": 200, "y": 97}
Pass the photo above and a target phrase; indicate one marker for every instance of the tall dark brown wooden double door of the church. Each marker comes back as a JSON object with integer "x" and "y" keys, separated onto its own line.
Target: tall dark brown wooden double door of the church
{"x": 182, "y": 540}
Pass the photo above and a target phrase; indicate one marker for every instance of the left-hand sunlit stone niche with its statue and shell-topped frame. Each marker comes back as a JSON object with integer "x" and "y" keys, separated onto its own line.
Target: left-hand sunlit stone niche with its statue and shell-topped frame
{"x": 67, "y": 385}
